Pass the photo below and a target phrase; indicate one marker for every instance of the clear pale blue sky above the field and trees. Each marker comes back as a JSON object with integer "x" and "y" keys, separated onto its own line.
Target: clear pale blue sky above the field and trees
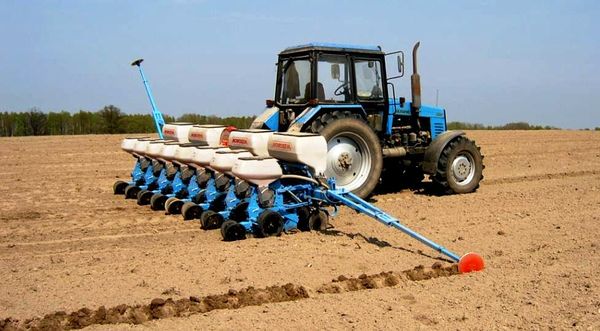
{"x": 492, "y": 61}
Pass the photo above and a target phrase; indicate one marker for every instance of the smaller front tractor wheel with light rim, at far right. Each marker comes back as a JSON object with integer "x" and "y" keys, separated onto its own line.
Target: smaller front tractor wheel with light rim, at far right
{"x": 459, "y": 168}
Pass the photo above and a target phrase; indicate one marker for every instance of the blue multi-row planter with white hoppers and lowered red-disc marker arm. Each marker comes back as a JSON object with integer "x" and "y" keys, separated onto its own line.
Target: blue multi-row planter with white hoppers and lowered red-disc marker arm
{"x": 262, "y": 184}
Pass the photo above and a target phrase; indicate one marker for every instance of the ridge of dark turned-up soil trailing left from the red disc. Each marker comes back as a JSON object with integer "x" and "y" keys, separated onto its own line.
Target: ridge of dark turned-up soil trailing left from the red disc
{"x": 160, "y": 308}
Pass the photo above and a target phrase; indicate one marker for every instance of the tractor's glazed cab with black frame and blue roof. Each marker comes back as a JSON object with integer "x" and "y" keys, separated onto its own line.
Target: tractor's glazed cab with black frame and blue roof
{"x": 340, "y": 76}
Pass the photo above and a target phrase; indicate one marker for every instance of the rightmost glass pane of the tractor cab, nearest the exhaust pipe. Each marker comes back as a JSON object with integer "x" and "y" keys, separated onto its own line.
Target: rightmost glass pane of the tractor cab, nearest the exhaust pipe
{"x": 368, "y": 80}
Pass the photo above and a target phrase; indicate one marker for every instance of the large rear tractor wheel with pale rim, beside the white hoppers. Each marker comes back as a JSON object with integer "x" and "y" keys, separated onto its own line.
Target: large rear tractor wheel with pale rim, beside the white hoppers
{"x": 354, "y": 155}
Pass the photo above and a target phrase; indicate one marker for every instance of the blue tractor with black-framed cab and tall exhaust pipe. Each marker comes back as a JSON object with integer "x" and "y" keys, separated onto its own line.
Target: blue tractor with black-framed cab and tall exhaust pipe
{"x": 343, "y": 93}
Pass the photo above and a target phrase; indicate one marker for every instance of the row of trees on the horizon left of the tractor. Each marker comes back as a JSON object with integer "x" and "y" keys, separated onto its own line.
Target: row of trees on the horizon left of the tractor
{"x": 107, "y": 120}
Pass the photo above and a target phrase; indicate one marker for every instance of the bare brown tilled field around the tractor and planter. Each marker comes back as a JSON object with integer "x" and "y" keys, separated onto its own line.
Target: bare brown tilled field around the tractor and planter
{"x": 66, "y": 243}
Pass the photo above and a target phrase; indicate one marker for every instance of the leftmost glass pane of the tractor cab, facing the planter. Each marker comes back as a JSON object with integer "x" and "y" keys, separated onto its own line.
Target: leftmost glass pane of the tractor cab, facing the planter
{"x": 295, "y": 82}
